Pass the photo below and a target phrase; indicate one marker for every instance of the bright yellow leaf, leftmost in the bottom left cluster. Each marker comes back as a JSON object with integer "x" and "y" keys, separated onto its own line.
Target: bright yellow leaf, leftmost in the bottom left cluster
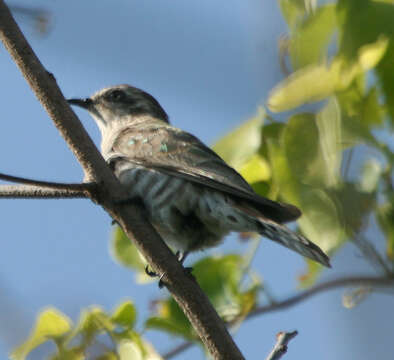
{"x": 51, "y": 324}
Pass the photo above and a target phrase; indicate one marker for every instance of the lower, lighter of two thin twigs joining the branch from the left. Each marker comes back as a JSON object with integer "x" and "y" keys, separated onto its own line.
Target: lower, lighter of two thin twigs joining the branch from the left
{"x": 36, "y": 192}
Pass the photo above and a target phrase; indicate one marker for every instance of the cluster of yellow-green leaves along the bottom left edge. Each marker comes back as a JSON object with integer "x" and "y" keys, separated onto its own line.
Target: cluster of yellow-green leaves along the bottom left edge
{"x": 109, "y": 335}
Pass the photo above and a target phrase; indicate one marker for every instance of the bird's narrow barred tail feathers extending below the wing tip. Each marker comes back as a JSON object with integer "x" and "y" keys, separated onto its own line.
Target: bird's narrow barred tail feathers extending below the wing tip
{"x": 293, "y": 241}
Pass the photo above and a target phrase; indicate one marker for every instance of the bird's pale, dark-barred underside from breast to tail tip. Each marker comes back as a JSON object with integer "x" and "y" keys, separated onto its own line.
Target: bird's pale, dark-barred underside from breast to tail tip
{"x": 190, "y": 217}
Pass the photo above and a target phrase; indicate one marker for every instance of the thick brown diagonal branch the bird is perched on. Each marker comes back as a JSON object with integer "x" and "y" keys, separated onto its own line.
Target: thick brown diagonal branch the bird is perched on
{"x": 131, "y": 218}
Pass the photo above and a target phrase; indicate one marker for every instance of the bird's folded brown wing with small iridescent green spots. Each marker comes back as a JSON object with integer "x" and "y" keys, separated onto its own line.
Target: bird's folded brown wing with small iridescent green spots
{"x": 177, "y": 153}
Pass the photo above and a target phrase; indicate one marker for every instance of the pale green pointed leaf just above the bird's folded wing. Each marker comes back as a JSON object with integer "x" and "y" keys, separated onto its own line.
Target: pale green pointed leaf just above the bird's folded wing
{"x": 242, "y": 143}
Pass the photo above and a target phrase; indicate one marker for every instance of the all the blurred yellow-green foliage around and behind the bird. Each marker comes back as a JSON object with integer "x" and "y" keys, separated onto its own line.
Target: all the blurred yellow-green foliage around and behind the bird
{"x": 333, "y": 159}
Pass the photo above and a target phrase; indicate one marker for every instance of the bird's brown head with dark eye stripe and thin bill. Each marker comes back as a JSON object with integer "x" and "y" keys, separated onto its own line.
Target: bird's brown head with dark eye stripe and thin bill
{"x": 120, "y": 102}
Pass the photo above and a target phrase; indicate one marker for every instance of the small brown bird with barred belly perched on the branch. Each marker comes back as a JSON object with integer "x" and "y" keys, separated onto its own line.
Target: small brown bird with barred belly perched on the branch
{"x": 192, "y": 197}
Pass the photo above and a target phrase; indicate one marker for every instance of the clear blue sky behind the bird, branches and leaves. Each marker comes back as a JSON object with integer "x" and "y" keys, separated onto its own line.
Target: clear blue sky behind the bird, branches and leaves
{"x": 210, "y": 64}
